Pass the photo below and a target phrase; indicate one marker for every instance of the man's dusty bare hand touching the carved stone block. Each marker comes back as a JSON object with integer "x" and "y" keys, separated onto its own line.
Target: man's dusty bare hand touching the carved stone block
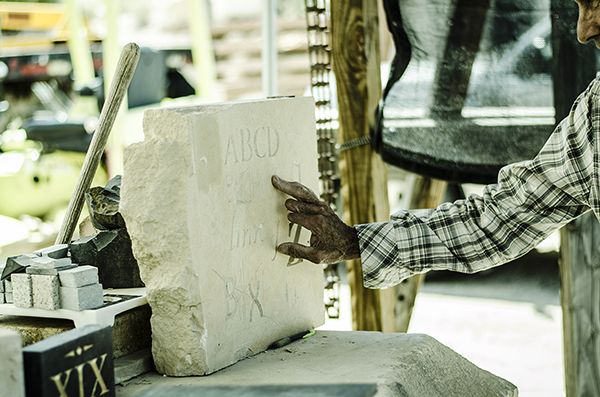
{"x": 331, "y": 240}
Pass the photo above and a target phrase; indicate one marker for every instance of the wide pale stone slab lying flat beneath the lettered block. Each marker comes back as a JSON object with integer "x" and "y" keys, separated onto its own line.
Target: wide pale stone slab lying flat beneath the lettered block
{"x": 402, "y": 365}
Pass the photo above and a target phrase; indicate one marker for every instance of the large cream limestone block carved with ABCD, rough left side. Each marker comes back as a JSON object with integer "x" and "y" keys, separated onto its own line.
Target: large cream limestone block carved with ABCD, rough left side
{"x": 204, "y": 221}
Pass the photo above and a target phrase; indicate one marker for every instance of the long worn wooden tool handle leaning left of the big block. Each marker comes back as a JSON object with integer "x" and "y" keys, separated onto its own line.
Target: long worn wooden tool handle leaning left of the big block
{"x": 118, "y": 88}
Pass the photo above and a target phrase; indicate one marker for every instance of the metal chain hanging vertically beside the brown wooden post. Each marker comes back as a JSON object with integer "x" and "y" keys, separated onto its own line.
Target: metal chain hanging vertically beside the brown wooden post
{"x": 319, "y": 51}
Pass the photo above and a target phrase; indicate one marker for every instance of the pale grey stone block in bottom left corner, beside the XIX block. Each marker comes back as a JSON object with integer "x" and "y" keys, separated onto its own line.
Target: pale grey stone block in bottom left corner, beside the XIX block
{"x": 12, "y": 380}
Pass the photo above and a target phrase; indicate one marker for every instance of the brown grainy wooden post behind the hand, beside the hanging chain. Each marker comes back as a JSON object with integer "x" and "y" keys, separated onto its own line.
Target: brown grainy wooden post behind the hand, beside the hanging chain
{"x": 356, "y": 64}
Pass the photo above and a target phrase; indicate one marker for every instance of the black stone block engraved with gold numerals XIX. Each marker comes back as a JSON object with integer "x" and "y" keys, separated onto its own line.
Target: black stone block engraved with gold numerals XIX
{"x": 75, "y": 363}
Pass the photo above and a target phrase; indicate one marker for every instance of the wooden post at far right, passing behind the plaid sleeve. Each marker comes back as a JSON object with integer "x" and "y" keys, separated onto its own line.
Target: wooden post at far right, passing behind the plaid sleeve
{"x": 573, "y": 67}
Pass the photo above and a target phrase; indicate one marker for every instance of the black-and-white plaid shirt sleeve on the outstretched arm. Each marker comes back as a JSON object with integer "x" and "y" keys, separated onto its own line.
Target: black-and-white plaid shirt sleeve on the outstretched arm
{"x": 530, "y": 200}
